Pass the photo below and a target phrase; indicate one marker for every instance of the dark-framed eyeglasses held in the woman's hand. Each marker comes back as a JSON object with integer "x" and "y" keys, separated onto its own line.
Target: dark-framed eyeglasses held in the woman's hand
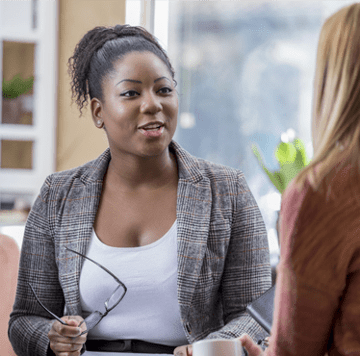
{"x": 95, "y": 317}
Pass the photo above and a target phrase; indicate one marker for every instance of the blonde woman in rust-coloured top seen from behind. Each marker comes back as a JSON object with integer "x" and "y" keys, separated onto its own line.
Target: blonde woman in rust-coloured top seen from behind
{"x": 317, "y": 300}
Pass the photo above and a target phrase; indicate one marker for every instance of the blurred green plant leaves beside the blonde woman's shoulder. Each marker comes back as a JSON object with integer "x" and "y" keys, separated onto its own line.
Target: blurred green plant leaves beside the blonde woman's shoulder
{"x": 292, "y": 158}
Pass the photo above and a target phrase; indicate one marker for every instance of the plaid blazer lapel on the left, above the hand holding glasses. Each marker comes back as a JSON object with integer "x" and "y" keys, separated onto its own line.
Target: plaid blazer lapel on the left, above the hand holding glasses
{"x": 81, "y": 204}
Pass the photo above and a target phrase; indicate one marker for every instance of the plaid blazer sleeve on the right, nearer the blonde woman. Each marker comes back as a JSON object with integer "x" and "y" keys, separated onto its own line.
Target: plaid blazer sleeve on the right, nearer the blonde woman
{"x": 247, "y": 272}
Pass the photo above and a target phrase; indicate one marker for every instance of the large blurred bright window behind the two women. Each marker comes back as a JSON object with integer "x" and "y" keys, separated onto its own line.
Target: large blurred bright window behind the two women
{"x": 245, "y": 72}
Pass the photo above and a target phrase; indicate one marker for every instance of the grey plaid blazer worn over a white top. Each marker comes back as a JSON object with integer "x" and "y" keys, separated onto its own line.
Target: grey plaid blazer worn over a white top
{"x": 223, "y": 257}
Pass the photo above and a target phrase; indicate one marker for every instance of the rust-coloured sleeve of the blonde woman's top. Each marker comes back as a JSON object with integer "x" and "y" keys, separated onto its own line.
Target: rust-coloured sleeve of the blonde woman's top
{"x": 311, "y": 274}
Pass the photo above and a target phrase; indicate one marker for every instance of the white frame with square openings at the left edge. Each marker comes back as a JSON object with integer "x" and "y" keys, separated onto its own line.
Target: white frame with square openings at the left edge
{"x": 25, "y": 183}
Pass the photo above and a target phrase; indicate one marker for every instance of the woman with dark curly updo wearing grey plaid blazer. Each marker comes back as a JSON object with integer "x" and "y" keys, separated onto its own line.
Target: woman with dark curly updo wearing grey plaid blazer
{"x": 147, "y": 248}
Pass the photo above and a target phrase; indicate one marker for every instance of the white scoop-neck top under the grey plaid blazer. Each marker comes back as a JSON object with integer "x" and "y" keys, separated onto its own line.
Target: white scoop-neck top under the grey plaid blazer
{"x": 150, "y": 309}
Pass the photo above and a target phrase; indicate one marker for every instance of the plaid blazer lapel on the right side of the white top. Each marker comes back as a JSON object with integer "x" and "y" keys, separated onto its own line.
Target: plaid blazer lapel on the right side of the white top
{"x": 194, "y": 203}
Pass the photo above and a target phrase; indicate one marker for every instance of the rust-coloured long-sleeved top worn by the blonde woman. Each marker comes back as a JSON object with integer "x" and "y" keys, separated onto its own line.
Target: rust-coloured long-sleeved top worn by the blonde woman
{"x": 317, "y": 302}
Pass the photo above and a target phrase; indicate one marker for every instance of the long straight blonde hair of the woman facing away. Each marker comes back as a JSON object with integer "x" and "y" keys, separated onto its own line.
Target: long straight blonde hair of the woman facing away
{"x": 336, "y": 105}
